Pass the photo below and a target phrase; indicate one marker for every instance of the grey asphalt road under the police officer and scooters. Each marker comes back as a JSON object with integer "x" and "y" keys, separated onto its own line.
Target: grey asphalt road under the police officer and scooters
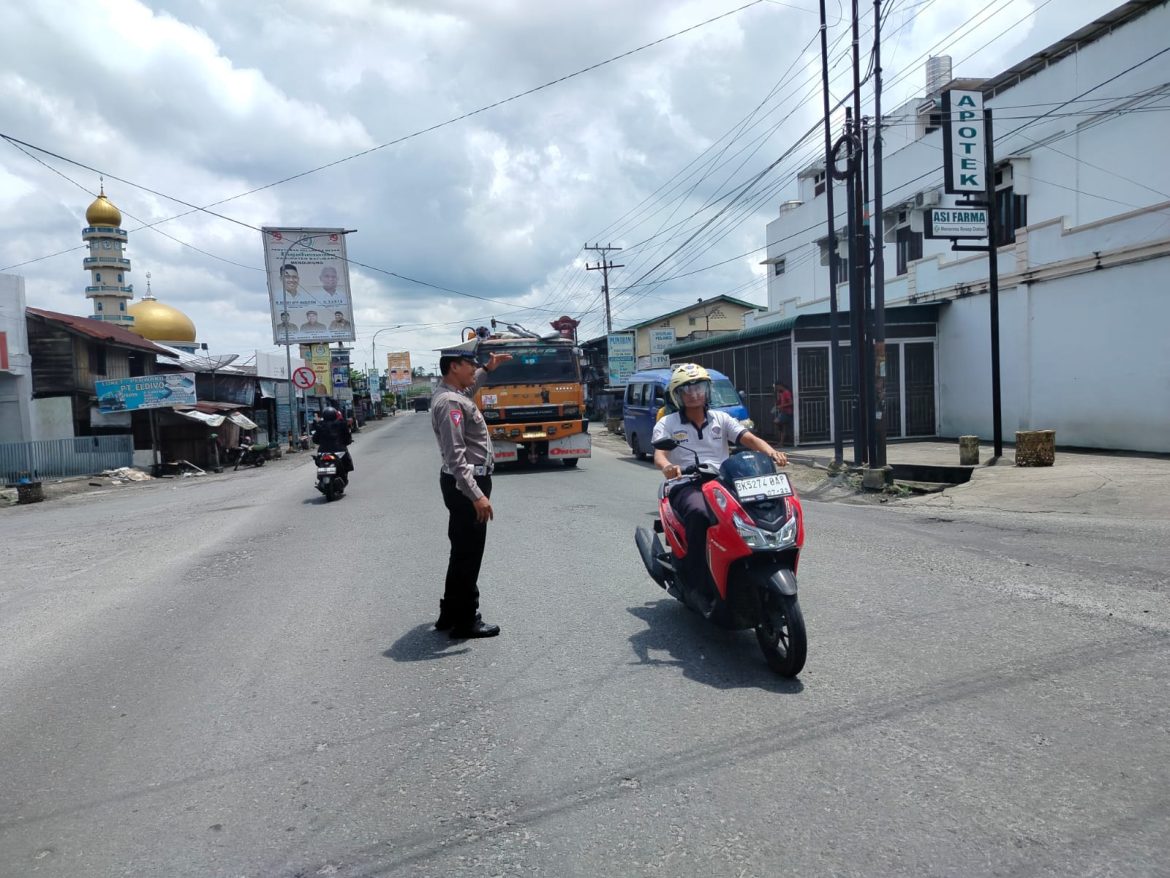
{"x": 229, "y": 677}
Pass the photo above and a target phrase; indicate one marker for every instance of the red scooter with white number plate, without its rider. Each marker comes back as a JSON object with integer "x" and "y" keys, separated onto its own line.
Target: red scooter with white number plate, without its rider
{"x": 753, "y": 551}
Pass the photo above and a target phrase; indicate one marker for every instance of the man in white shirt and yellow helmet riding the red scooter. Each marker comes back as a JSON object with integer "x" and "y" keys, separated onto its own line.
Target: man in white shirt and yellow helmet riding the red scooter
{"x": 699, "y": 429}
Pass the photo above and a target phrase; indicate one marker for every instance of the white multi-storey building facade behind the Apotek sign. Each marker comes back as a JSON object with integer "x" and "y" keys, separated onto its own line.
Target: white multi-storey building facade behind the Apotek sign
{"x": 1084, "y": 197}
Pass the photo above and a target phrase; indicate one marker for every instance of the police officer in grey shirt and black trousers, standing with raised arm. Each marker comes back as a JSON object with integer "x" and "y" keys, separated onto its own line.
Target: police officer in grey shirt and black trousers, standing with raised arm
{"x": 466, "y": 484}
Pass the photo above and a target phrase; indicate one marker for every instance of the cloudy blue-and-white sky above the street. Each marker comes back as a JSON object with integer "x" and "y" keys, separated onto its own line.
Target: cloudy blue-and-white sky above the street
{"x": 477, "y": 147}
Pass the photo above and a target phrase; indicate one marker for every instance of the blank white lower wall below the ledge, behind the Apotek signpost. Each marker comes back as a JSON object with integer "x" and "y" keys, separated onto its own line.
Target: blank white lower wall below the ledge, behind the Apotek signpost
{"x": 1061, "y": 365}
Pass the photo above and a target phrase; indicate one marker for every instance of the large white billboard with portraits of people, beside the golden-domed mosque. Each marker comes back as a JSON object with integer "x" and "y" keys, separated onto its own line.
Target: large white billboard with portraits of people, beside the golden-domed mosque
{"x": 308, "y": 285}
